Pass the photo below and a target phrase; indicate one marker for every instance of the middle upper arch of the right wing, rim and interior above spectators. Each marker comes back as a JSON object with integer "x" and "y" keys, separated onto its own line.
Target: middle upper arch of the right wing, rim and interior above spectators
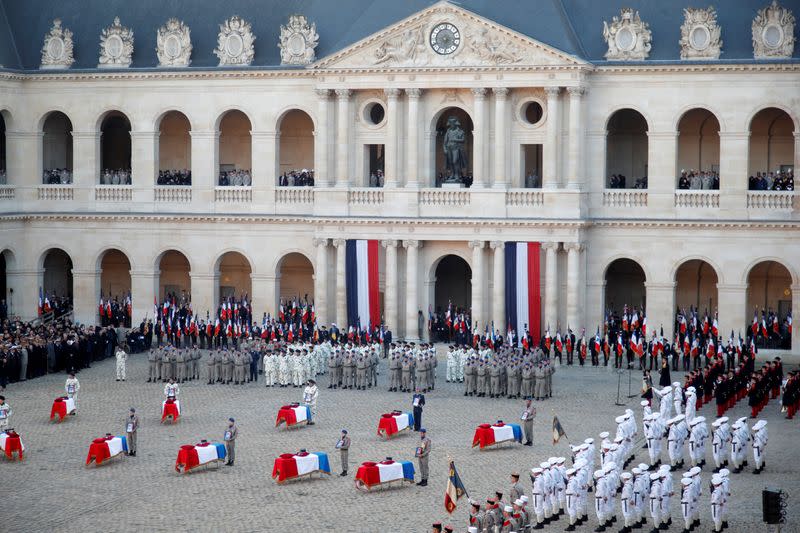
{"x": 699, "y": 140}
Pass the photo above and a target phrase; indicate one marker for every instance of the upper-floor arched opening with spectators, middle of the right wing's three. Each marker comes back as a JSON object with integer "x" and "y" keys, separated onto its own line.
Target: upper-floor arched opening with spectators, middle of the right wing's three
{"x": 698, "y": 150}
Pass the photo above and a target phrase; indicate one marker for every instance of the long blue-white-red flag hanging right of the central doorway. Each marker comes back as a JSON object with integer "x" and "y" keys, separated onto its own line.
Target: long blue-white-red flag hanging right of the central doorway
{"x": 523, "y": 291}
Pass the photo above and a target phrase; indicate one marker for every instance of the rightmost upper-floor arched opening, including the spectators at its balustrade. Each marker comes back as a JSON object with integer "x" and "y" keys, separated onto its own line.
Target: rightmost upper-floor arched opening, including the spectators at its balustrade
{"x": 771, "y": 149}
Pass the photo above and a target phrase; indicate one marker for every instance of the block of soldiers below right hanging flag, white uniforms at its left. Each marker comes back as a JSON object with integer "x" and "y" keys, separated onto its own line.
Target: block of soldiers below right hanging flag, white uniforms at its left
{"x": 506, "y": 372}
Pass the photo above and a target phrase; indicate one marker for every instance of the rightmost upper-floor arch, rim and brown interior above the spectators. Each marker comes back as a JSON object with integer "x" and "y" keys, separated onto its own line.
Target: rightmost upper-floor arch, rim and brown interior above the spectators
{"x": 771, "y": 144}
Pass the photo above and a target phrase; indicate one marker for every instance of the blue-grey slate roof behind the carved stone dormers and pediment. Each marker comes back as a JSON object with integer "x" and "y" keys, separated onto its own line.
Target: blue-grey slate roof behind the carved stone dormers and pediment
{"x": 573, "y": 26}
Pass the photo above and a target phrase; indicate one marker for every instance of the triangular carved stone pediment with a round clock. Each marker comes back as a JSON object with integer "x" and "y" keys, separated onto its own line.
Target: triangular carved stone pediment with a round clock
{"x": 480, "y": 43}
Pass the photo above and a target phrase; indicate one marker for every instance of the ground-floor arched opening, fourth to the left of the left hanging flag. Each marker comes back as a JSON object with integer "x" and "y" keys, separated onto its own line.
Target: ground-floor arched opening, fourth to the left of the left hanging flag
{"x": 115, "y": 288}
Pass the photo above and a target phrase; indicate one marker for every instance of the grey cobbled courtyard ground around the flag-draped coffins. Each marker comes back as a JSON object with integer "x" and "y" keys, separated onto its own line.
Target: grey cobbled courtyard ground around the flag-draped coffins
{"x": 52, "y": 490}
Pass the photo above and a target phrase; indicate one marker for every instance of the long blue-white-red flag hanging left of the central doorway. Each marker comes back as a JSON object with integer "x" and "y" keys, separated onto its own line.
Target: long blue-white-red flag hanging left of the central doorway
{"x": 361, "y": 272}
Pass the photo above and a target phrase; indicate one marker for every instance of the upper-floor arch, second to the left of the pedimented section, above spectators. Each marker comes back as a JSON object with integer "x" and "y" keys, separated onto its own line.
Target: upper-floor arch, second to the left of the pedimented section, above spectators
{"x": 234, "y": 141}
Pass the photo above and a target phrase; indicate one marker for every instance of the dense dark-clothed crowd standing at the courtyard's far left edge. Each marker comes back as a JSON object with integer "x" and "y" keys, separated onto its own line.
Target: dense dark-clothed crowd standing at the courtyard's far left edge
{"x": 29, "y": 351}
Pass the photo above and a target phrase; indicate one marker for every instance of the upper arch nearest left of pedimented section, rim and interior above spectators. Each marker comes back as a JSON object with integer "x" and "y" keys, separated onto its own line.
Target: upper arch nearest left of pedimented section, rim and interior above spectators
{"x": 296, "y": 142}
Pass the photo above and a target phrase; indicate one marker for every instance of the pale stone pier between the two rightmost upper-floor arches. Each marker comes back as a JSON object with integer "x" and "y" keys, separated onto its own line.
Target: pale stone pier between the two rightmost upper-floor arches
{"x": 734, "y": 148}
